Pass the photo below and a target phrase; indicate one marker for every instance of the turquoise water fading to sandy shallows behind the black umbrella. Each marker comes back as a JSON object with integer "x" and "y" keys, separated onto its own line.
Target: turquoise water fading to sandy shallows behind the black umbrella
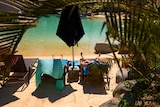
{"x": 42, "y": 40}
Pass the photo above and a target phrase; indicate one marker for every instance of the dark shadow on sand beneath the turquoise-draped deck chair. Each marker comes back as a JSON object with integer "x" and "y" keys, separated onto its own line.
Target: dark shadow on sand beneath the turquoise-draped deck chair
{"x": 48, "y": 90}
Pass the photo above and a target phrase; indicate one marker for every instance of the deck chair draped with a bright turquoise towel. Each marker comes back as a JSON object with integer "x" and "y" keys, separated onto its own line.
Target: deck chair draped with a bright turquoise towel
{"x": 52, "y": 68}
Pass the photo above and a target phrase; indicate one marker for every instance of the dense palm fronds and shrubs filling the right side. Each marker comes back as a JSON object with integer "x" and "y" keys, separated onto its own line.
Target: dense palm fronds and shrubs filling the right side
{"x": 138, "y": 31}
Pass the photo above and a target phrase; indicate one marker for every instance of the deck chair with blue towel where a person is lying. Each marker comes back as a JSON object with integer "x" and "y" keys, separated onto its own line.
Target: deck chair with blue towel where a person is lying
{"x": 95, "y": 73}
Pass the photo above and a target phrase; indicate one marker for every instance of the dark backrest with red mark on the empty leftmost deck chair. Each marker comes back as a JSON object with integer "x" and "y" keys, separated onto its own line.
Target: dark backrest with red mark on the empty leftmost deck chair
{"x": 18, "y": 64}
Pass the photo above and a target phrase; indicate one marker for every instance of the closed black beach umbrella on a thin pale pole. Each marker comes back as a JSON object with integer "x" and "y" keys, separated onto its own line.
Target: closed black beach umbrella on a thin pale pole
{"x": 70, "y": 28}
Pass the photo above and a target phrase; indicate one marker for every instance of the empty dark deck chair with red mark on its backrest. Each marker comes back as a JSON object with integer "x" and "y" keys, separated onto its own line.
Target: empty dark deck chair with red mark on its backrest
{"x": 19, "y": 72}
